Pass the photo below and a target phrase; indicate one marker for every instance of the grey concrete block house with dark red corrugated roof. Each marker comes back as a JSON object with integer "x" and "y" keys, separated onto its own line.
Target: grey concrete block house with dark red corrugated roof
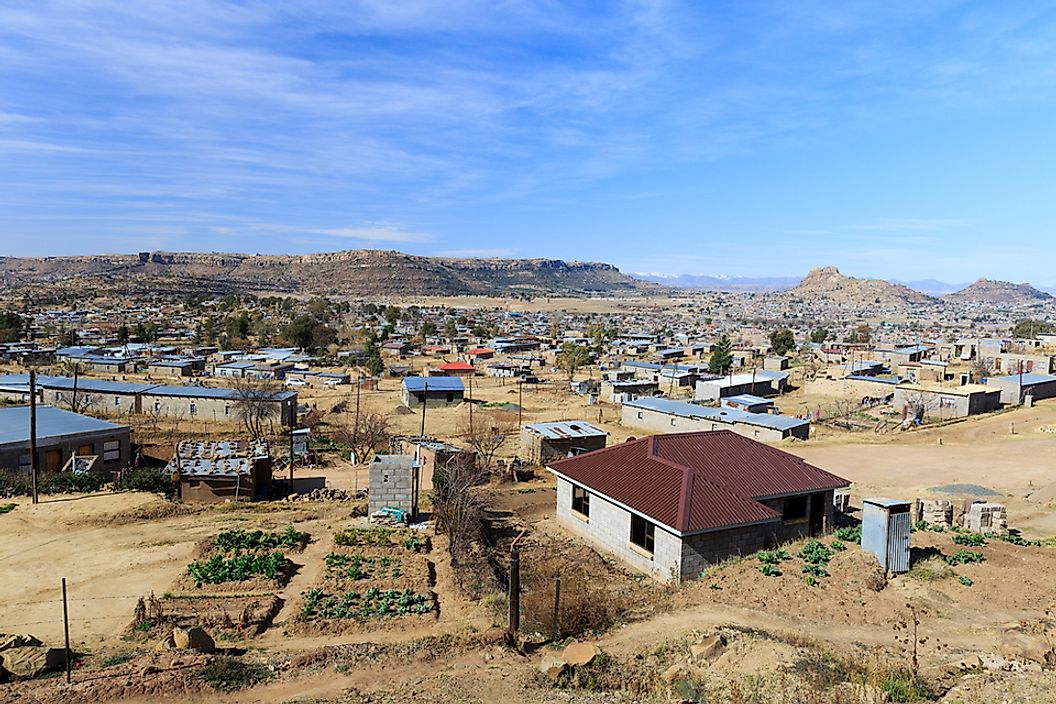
{"x": 672, "y": 505}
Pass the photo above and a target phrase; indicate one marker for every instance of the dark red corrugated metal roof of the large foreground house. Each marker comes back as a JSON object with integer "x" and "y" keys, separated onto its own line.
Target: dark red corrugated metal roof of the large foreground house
{"x": 696, "y": 482}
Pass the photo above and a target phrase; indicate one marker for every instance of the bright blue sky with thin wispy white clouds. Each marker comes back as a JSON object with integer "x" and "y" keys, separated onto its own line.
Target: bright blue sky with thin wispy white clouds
{"x": 902, "y": 140}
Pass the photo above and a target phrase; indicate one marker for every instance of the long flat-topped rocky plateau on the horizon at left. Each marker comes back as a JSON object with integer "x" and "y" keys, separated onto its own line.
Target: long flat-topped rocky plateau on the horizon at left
{"x": 359, "y": 273}
